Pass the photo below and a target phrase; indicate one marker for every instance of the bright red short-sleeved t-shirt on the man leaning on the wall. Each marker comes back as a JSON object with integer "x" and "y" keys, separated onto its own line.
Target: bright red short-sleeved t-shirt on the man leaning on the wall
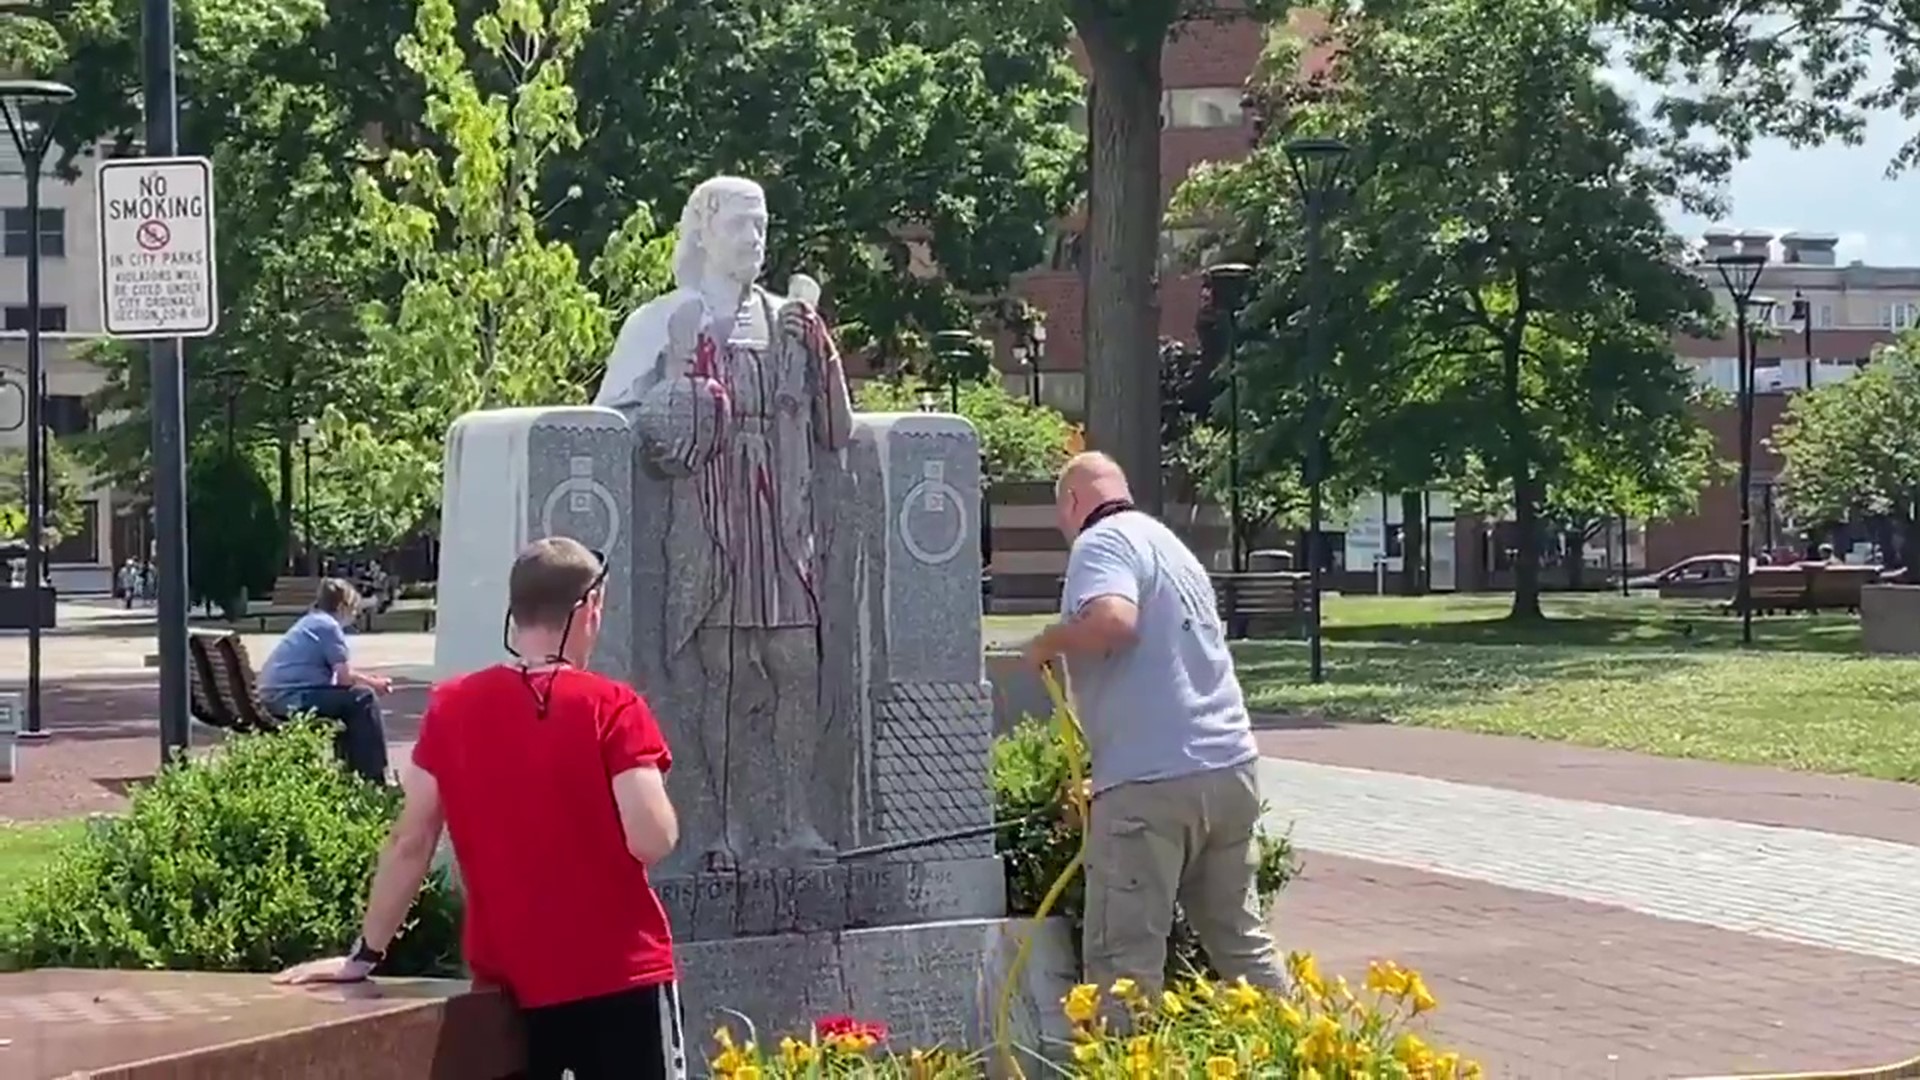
{"x": 558, "y": 910}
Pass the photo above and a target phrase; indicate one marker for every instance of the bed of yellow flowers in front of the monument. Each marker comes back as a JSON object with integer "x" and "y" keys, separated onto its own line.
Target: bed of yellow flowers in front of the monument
{"x": 1314, "y": 1031}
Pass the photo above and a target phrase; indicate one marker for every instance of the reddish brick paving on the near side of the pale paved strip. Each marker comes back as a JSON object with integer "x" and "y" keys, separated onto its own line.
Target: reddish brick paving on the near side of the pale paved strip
{"x": 1545, "y": 989}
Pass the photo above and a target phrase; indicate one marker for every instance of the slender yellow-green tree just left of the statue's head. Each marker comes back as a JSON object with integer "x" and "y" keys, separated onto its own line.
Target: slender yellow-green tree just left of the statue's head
{"x": 491, "y": 314}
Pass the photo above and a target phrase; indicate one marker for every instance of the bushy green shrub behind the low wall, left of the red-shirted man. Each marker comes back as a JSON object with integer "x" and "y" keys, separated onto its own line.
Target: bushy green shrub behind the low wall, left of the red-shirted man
{"x": 247, "y": 860}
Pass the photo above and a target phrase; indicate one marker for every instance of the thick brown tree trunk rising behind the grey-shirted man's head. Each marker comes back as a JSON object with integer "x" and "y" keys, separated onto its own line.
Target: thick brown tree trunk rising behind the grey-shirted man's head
{"x": 1122, "y": 249}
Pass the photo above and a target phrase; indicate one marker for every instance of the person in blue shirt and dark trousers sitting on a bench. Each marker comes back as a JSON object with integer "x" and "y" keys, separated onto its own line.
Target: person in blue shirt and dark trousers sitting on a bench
{"x": 310, "y": 672}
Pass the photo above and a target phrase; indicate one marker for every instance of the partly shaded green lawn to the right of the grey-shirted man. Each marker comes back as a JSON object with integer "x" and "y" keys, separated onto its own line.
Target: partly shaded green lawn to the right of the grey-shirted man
{"x": 1629, "y": 674}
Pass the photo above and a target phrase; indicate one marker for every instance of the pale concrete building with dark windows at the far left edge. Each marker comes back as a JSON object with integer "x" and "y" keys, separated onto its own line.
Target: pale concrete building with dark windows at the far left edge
{"x": 70, "y": 316}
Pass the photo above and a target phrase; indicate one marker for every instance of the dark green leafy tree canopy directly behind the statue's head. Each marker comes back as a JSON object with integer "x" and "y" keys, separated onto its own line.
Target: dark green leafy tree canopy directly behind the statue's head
{"x": 911, "y": 130}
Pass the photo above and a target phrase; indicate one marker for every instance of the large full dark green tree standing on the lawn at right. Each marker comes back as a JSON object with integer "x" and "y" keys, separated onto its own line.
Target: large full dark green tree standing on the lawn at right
{"x": 1506, "y": 289}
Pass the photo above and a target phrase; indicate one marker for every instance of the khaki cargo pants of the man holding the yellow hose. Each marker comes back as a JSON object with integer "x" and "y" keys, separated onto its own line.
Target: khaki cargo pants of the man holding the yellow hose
{"x": 1188, "y": 841}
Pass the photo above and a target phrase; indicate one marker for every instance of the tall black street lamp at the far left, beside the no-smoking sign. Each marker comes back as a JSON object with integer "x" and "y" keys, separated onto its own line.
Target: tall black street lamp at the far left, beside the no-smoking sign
{"x": 30, "y": 109}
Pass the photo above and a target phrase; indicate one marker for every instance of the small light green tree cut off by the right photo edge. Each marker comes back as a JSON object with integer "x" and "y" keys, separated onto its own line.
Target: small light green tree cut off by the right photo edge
{"x": 1856, "y": 447}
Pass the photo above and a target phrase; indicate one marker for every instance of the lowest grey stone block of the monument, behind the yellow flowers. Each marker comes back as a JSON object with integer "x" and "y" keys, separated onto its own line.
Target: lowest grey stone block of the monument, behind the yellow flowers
{"x": 932, "y": 983}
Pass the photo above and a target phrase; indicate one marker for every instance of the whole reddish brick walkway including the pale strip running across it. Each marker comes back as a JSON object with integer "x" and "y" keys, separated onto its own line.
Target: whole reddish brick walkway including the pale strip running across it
{"x": 1610, "y": 916}
